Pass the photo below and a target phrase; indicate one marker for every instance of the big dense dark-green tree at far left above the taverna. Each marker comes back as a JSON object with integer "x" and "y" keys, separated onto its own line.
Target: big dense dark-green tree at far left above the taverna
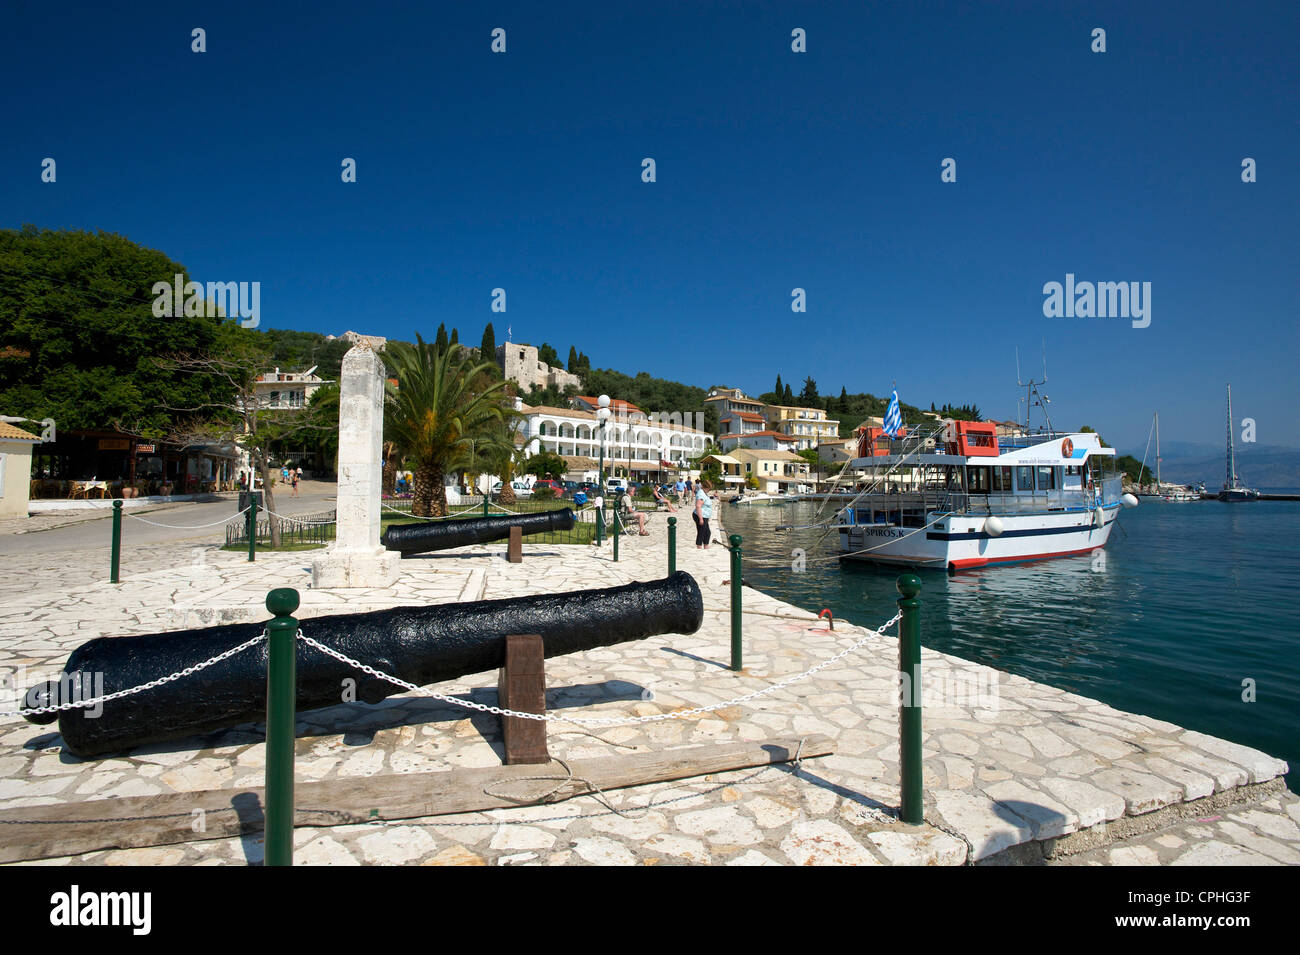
{"x": 79, "y": 335}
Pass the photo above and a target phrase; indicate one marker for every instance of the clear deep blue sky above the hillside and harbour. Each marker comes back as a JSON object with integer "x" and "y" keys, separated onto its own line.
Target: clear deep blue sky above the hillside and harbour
{"x": 775, "y": 171}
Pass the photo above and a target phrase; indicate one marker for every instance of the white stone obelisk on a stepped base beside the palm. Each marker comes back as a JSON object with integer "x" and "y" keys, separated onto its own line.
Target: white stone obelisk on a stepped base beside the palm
{"x": 357, "y": 559}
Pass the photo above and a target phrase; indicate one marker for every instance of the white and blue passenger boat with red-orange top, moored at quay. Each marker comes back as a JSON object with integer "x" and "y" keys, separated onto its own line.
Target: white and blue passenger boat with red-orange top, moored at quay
{"x": 960, "y": 496}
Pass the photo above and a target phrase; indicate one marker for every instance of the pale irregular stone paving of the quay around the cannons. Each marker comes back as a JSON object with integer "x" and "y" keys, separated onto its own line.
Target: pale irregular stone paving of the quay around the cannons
{"x": 1024, "y": 774}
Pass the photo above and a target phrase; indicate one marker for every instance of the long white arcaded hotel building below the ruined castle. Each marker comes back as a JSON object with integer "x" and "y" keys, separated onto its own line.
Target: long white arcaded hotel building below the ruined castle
{"x": 638, "y": 446}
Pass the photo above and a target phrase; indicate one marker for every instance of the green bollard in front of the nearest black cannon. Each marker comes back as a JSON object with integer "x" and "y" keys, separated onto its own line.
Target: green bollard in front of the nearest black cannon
{"x": 281, "y": 698}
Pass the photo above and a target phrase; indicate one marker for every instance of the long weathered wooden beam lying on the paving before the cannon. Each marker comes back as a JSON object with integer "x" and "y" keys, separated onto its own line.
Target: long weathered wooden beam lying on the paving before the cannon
{"x": 44, "y": 832}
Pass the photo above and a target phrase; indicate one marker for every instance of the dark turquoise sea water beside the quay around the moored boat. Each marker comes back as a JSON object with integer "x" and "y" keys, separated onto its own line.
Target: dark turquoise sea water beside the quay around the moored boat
{"x": 1189, "y": 602}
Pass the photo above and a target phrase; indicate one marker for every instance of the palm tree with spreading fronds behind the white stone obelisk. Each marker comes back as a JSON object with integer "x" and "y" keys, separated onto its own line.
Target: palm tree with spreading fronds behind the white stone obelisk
{"x": 445, "y": 405}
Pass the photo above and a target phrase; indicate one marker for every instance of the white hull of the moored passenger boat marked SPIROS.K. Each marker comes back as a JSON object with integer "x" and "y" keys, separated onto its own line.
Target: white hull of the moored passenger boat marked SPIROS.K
{"x": 960, "y": 542}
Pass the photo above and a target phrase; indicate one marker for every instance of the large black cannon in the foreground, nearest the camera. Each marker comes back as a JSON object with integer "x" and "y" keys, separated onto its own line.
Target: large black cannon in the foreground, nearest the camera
{"x": 421, "y": 645}
